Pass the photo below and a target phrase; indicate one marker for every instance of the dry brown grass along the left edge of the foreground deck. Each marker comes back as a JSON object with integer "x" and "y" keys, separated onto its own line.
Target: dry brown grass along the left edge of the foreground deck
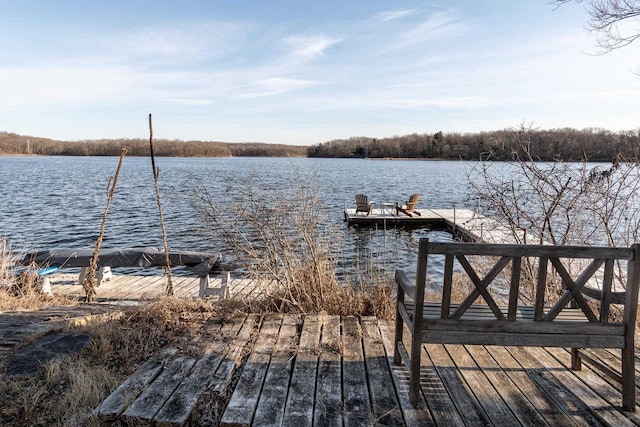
{"x": 66, "y": 390}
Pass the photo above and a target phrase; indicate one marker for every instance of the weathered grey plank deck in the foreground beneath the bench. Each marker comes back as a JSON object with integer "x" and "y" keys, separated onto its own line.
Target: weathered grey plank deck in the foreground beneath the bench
{"x": 332, "y": 371}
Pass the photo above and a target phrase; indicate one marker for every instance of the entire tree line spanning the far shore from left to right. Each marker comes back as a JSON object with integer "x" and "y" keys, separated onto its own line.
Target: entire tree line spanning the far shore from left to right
{"x": 566, "y": 144}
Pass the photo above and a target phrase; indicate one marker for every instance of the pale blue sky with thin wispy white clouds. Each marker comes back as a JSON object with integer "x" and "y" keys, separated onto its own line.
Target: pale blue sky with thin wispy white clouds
{"x": 306, "y": 72}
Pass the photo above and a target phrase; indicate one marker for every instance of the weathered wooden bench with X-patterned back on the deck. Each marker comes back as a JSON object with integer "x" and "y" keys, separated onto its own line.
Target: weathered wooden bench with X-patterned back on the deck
{"x": 568, "y": 320}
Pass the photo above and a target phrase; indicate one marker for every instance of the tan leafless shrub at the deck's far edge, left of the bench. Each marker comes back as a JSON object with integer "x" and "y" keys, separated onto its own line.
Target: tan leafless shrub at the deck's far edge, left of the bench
{"x": 283, "y": 239}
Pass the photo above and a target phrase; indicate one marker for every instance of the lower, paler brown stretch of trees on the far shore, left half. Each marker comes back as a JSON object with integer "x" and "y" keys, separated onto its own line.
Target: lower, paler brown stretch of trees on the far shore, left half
{"x": 14, "y": 144}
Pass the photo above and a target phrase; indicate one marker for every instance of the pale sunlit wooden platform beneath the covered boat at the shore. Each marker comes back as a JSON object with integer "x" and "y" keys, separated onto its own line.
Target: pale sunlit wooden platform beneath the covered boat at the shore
{"x": 136, "y": 288}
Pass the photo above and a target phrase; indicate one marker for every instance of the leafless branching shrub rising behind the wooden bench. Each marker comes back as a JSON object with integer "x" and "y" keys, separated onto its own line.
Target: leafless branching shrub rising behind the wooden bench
{"x": 561, "y": 203}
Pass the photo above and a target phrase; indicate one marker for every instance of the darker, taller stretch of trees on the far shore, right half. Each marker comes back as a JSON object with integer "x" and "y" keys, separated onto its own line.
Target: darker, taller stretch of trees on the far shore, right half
{"x": 545, "y": 145}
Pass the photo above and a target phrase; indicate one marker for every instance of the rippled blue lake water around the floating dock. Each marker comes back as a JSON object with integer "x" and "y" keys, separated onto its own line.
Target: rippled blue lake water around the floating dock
{"x": 48, "y": 202}
